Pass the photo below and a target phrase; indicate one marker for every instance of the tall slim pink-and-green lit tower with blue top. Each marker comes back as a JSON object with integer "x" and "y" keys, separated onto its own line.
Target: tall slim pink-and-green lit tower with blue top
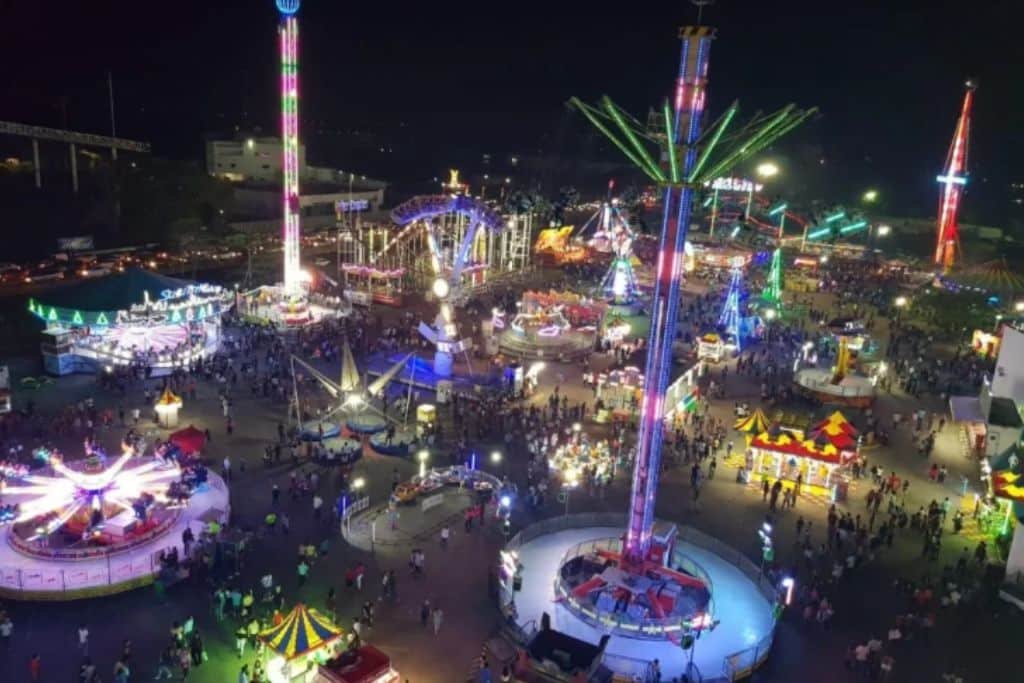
{"x": 289, "y": 33}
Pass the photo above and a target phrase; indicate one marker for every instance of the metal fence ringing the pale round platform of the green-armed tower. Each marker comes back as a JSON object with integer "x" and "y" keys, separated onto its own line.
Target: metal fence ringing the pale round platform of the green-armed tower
{"x": 737, "y": 665}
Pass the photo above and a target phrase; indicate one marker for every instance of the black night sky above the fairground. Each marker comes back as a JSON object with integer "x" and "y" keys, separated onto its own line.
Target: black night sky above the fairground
{"x": 493, "y": 77}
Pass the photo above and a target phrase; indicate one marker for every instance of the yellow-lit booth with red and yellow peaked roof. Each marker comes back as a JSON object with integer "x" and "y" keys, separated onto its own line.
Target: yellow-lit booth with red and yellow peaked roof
{"x": 819, "y": 458}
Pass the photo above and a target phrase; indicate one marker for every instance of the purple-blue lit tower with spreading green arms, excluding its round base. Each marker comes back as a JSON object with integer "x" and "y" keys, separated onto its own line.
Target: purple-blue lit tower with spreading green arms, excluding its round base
{"x": 687, "y": 161}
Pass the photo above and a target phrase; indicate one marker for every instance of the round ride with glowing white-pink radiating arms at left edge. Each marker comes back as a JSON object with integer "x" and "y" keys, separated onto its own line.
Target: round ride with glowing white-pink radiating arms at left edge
{"x": 97, "y": 526}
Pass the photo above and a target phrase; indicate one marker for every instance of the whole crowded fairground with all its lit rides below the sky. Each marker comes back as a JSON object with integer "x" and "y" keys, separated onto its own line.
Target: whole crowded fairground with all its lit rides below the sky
{"x": 700, "y": 424}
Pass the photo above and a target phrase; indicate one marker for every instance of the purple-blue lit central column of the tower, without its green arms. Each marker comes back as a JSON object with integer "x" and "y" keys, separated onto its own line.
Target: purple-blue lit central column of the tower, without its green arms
{"x": 689, "y": 109}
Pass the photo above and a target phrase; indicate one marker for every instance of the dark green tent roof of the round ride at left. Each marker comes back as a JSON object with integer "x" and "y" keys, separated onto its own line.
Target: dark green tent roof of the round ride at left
{"x": 116, "y": 292}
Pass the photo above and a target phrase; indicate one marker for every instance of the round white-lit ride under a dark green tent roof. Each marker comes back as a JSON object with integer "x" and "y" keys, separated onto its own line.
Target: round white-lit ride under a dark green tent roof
{"x": 138, "y": 318}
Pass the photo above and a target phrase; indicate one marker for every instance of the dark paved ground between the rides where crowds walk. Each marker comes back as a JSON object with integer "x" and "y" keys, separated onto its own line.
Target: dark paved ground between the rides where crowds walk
{"x": 976, "y": 639}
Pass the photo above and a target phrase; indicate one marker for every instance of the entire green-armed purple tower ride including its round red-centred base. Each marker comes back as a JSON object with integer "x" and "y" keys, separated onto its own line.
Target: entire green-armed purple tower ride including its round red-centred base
{"x": 630, "y": 573}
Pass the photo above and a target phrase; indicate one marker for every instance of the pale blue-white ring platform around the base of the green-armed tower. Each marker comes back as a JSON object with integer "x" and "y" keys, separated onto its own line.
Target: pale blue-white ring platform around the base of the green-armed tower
{"x": 739, "y": 601}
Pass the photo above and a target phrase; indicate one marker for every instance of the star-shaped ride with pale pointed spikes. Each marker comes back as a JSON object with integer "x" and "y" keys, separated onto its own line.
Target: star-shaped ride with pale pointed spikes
{"x": 354, "y": 397}
